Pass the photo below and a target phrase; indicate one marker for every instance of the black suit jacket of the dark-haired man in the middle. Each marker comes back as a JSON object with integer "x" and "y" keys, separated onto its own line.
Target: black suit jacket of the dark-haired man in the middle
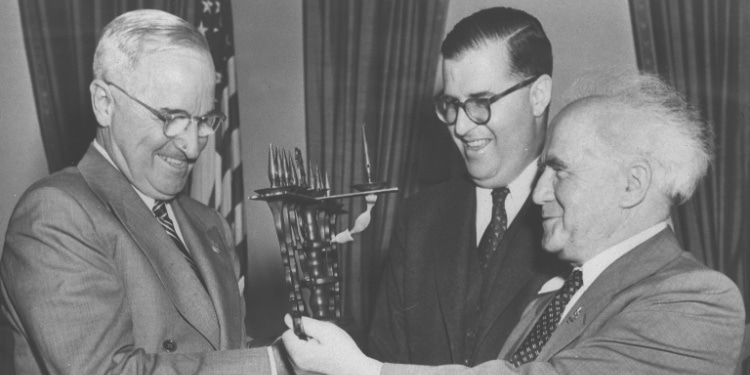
{"x": 419, "y": 314}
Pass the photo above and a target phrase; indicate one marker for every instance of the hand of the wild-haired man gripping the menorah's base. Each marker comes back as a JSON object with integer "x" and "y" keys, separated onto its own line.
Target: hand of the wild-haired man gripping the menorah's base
{"x": 328, "y": 350}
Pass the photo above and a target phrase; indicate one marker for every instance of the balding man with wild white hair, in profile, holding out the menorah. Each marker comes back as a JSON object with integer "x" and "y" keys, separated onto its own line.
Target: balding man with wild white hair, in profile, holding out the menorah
{"x": 615, "y": 162}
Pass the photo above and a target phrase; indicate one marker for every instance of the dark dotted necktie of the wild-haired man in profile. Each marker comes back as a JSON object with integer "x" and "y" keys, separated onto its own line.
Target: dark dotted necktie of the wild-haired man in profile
{"x": 547, "y": 323}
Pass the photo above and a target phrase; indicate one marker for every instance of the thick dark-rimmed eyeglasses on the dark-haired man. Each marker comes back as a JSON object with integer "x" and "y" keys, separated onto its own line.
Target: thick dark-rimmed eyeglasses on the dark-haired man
{"x": 477, "y": 109}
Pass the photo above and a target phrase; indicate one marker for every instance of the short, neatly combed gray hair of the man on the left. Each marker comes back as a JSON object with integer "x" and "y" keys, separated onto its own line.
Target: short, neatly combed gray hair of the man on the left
{"x": 133, "y": 34}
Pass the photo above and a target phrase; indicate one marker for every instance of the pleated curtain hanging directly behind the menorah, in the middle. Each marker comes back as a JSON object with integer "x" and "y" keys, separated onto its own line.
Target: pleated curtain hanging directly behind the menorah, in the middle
{"x": 370, "y": 62}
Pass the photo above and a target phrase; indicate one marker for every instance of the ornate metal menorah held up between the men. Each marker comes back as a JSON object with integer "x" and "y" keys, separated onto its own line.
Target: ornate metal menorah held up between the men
{"x": 305, "y": 216}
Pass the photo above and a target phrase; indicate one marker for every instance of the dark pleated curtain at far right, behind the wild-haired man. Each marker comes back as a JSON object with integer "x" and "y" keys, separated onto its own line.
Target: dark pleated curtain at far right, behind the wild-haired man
{"x": 701, "y": 47}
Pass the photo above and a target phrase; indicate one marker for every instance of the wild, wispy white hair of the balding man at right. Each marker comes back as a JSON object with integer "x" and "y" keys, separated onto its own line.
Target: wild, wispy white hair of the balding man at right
{"x": 661, "y": 128}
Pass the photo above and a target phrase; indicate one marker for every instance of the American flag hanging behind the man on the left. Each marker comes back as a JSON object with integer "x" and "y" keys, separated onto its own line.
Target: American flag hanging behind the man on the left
{"x": 217, "y": 176}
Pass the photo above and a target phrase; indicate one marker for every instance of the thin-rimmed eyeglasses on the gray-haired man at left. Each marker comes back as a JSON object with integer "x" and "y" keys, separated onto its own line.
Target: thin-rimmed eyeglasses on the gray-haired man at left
{"x": 177, "y": 121}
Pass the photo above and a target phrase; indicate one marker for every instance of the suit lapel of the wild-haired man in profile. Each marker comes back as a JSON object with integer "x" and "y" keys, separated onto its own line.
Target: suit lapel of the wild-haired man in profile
{"x": 639, "y": 263}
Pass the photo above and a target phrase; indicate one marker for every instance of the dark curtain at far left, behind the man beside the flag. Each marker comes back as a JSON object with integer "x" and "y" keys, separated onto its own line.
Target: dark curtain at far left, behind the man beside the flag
{"x": 60, "y": 38}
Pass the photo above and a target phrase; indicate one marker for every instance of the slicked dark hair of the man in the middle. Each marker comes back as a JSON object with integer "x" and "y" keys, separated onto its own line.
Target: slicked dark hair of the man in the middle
{"x": 528, "y": 47}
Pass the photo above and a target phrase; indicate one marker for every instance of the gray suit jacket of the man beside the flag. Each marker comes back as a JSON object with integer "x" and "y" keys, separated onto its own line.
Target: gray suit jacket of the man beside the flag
{"x": 92, "y": 284}
